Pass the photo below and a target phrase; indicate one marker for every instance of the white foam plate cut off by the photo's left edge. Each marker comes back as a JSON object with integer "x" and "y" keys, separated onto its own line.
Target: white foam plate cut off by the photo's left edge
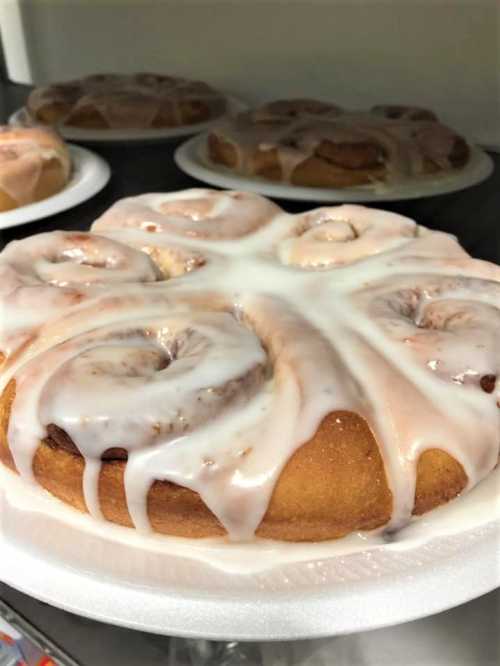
{"x": 90, "y": 173}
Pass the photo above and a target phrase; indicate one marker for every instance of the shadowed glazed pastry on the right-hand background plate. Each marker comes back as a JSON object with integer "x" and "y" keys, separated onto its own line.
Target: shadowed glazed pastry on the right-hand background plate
{"x": 311, "y": 143}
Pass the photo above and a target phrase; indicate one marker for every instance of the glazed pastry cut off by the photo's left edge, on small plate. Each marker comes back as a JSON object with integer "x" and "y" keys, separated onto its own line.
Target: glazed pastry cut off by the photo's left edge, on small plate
{"x": 34, "y": 164}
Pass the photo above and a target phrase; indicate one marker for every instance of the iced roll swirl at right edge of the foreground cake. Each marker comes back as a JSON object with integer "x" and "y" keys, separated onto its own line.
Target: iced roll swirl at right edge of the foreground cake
{"x": 449, "y": 324}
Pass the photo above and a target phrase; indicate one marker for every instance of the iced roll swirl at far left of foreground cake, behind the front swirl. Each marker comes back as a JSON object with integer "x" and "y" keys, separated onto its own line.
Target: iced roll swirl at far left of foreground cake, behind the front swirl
{"x": 60, "y": 269}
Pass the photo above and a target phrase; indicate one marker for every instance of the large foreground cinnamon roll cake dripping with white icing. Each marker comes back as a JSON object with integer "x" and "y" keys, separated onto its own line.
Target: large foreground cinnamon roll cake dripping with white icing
{"x": 202, "y": 363}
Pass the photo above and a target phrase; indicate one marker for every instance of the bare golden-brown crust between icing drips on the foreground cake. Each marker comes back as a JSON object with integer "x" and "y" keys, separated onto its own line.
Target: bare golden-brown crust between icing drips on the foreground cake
{"x": 334, "y": 484}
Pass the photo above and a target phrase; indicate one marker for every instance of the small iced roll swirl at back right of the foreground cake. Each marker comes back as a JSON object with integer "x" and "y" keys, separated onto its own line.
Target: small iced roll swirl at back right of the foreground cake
{"x": 338, "y": 235}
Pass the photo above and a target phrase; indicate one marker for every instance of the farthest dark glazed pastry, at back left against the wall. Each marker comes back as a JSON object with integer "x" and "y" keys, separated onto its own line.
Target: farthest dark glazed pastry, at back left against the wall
{"x": 120, "y": 101}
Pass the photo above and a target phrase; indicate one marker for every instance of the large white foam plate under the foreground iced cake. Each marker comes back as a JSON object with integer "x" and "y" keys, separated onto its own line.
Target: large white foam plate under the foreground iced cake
{"x": 262, "y": 591}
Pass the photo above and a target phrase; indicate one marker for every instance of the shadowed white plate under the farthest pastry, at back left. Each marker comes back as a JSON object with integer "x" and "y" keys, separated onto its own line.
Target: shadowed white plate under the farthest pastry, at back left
{"x": 22, "y": 117}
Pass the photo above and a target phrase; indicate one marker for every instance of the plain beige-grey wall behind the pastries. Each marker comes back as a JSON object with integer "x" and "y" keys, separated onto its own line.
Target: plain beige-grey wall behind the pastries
{"x": 444, "y": 54}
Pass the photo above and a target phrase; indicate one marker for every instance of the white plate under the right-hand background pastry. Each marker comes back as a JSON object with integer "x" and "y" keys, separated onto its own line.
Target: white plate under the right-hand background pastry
{"x": 192, "y": 158}
